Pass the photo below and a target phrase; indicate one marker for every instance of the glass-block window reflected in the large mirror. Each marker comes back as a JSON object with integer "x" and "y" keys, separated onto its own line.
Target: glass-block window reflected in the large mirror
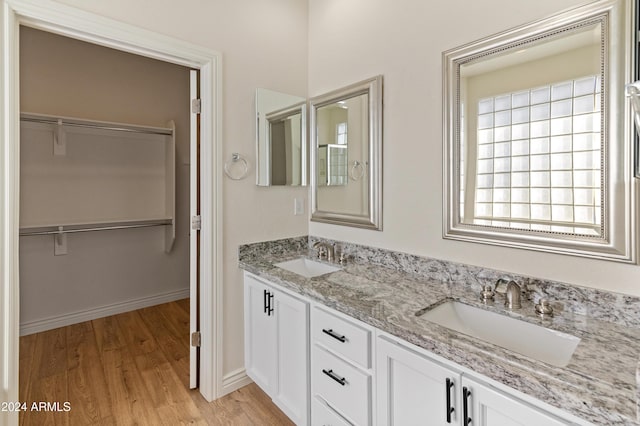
{"x": 538, "y": 155}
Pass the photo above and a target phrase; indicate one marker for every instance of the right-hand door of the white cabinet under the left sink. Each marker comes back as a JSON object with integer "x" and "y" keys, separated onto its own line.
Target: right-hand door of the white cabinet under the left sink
{"x": 292, "y": 395}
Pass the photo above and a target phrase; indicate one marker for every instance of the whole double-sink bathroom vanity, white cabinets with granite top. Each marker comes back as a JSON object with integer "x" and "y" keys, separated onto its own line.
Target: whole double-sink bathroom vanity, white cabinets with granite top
{"x": 353, "y": 346}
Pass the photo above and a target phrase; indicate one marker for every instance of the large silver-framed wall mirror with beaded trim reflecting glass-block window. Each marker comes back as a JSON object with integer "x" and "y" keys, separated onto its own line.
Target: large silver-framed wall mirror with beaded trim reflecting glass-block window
{"x": 537, "y": 135}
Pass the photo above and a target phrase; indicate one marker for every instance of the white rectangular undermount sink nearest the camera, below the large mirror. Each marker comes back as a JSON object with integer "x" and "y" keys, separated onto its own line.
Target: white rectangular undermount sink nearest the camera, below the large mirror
{"x": 550, "y": 346}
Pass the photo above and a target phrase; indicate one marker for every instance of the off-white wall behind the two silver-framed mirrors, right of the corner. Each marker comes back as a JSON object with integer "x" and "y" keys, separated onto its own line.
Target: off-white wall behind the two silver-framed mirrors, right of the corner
{"x": 404, "y": 40}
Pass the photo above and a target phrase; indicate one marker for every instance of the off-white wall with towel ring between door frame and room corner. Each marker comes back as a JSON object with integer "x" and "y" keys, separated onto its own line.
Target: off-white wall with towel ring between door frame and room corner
{"x": 264, "y": 44}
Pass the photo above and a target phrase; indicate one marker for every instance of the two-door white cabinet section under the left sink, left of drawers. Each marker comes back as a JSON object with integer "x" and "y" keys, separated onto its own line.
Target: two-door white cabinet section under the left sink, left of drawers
{"x": 277, "y": 346}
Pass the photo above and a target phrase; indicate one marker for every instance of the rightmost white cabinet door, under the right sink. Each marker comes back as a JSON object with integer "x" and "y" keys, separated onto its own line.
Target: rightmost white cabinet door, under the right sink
{"x": 487, "y": 406}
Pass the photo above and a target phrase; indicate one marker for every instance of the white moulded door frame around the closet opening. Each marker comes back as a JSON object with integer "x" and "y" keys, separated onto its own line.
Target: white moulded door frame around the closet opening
{"x": 74, "y": 23}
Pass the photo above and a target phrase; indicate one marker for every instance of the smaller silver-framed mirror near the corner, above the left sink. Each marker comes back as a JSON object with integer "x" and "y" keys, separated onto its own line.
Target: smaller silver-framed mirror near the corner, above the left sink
{"x": 346, "y": 155}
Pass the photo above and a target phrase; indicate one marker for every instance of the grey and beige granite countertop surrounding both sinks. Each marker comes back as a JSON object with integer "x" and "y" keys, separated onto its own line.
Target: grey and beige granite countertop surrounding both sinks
{"x": 600, "y": 383}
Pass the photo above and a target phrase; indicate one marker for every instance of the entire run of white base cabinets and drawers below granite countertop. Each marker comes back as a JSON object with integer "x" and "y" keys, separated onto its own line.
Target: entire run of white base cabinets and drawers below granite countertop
{"x": 325, "y": 368}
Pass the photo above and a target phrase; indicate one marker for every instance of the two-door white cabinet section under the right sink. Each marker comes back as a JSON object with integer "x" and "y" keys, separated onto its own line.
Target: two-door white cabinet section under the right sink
{"x": 415, "y": 389}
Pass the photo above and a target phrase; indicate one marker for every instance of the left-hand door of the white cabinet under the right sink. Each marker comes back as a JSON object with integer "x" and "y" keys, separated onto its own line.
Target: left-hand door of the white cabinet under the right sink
{"x": 413, "y": 390}
